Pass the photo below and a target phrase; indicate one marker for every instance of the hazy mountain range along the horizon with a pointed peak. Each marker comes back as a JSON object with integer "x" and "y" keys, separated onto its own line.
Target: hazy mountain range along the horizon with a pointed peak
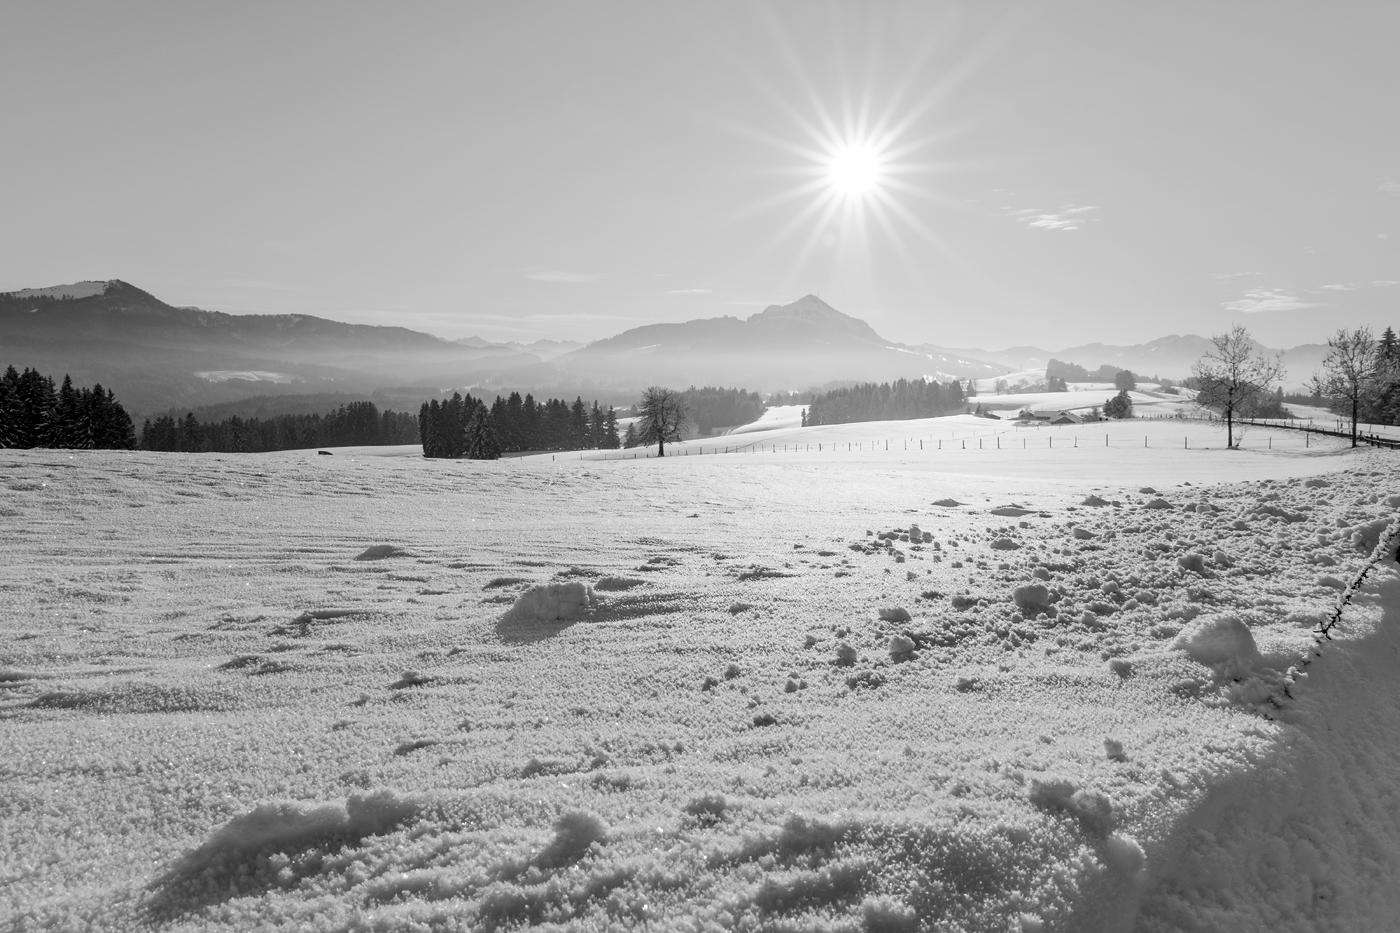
{"x": 159, "y": 357}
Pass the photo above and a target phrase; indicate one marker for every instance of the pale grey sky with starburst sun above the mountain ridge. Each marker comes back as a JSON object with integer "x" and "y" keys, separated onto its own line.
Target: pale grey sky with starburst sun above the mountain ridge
{"x": 965, "y": 174}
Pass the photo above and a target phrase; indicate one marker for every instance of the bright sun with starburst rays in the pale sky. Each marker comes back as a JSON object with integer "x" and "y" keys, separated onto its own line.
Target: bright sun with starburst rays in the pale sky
{"x": 863, "y": 158}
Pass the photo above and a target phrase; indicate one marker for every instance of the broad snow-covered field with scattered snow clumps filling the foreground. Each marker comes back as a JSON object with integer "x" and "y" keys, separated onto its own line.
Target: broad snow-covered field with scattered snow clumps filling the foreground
{"x": 706, "y": 693}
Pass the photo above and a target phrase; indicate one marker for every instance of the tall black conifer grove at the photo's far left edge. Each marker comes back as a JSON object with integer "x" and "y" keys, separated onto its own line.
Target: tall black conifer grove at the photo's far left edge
{"x": 37, "y": 414}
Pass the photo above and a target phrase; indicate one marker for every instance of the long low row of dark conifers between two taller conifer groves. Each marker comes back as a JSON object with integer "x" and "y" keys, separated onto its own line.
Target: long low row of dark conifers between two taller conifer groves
{"x": 353, "y": 425}
